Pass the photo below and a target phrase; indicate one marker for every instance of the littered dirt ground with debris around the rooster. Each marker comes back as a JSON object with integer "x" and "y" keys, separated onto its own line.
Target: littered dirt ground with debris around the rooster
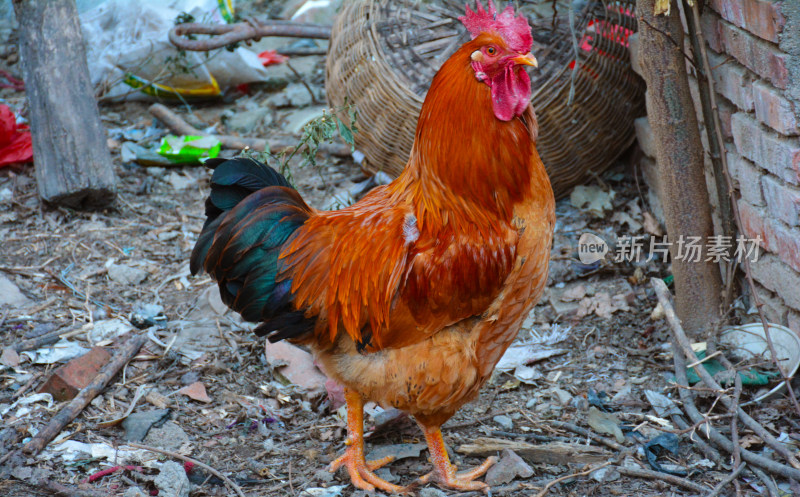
{"x": 601, "y": 347}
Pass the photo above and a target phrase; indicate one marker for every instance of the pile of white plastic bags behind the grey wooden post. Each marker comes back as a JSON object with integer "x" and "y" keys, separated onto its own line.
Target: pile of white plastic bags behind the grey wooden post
{"x": 130, "y": 56}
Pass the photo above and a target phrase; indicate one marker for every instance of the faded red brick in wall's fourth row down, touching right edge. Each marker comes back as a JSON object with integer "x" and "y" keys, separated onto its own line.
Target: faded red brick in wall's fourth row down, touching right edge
{"x": 777, "y": 154}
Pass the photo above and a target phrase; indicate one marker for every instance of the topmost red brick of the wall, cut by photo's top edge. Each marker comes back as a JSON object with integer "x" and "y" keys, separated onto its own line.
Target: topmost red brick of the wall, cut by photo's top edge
{"x": 760, "y": 17}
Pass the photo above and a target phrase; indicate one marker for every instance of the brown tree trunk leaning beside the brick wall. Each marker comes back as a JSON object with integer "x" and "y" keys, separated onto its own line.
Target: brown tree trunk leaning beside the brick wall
{"x": 672, "y": 117}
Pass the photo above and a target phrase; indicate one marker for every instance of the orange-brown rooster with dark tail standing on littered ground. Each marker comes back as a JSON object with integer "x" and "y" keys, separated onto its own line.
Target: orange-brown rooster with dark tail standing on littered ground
{"x": 410, "y": 296}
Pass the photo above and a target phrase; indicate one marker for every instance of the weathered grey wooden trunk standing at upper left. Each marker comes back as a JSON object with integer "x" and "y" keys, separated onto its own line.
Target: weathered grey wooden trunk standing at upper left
{"x": 71, "y": 159}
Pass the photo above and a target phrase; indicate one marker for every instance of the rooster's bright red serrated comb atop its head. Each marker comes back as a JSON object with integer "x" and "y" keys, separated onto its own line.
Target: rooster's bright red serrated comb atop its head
{"x": 515, "y": 31}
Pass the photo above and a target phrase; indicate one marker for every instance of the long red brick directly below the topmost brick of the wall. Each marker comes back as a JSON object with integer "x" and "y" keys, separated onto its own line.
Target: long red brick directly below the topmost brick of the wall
{"x": 761, "y": 57}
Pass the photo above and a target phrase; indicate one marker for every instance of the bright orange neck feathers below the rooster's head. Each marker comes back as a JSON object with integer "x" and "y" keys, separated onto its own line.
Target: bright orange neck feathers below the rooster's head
{"x": 467, "y": 167}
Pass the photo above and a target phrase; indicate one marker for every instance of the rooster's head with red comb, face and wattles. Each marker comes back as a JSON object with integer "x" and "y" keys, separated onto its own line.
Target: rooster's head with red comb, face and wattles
{"x": 503, "y": 42}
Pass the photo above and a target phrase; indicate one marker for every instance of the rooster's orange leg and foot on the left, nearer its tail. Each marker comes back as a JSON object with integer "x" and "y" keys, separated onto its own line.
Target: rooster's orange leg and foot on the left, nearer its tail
{"x": 361, "y": 471}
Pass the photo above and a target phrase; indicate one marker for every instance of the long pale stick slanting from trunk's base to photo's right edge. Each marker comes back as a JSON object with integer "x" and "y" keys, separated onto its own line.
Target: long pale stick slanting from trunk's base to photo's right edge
{"x": 662, "y": 292}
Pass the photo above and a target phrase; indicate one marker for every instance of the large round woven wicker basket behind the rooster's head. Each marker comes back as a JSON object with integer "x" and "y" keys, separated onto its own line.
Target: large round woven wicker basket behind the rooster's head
{"x": 384, "y": 54}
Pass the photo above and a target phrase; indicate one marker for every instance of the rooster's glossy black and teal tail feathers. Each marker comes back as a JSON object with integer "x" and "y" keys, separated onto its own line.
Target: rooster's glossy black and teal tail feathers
{"x": 252, "y": 212}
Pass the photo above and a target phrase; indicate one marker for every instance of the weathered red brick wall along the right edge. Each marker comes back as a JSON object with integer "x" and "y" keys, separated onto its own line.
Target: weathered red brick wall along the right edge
{"x": 754, "y": 50}
